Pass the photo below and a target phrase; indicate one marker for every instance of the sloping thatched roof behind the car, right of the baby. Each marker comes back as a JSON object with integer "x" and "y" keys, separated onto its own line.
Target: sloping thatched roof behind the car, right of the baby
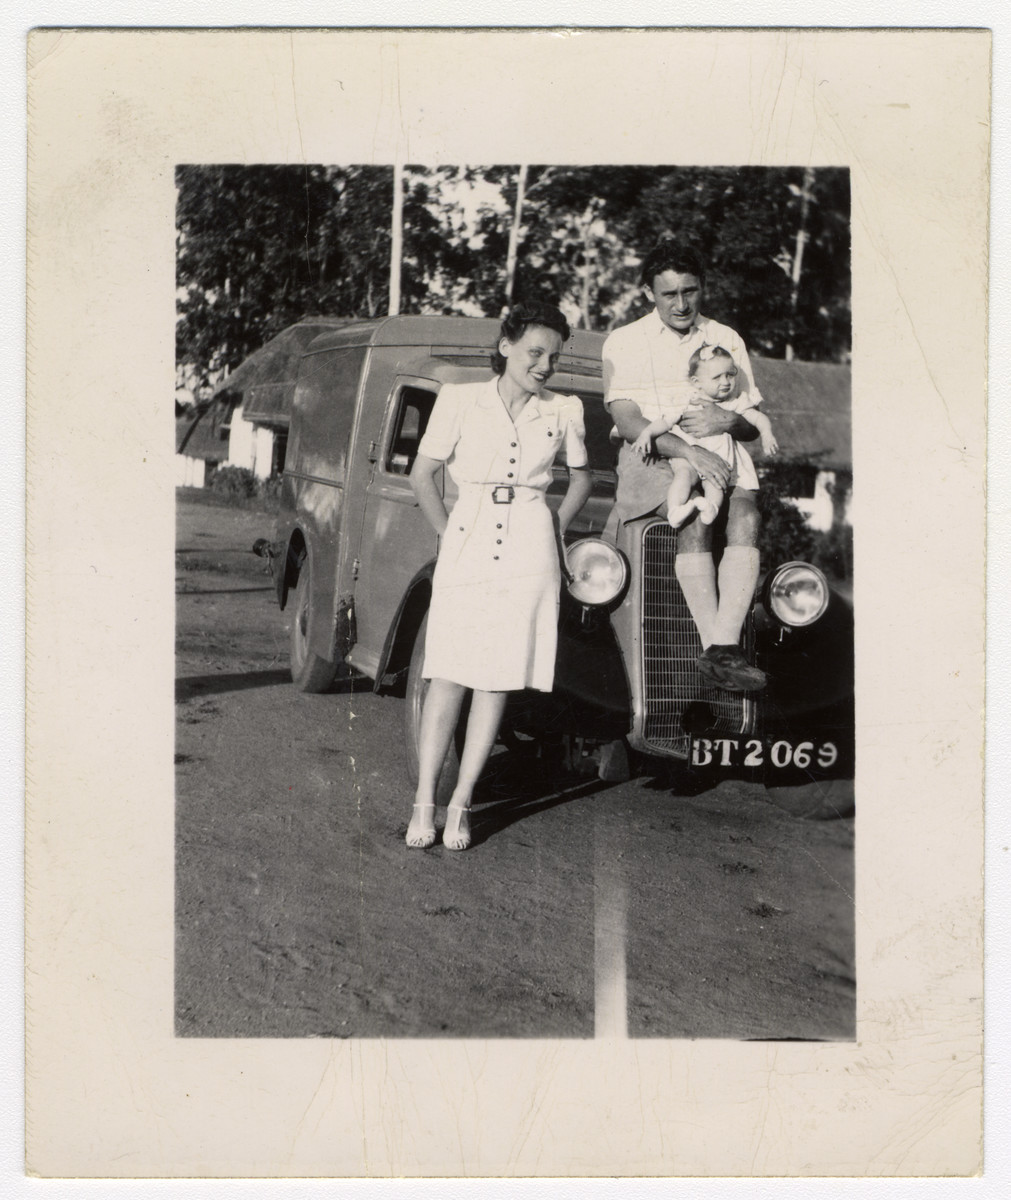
{"x": 810, "y": 407}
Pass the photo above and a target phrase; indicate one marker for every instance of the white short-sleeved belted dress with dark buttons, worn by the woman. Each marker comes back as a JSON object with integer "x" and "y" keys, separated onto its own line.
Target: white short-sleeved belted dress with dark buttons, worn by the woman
{"x": 494, "y": 617}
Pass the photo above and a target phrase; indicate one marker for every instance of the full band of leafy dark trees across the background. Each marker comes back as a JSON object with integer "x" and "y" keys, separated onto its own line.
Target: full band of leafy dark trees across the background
{"x": 262, "y": 247}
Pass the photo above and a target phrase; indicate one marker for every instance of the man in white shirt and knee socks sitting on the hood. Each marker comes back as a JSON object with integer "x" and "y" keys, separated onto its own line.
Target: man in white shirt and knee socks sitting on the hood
{"x": 645, "y": 369}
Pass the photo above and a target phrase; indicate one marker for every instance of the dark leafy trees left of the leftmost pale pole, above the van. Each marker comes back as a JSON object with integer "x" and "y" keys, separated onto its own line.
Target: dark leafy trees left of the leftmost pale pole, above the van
{"x": 259, "y": 248}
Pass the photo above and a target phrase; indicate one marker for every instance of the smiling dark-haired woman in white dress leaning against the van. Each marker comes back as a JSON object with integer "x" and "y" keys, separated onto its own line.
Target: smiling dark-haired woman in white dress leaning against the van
{"x": 494, "y": 616}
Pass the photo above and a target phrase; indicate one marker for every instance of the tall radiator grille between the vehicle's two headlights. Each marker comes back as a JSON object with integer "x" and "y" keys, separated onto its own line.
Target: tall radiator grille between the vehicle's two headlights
{"x": 671, "y": 647}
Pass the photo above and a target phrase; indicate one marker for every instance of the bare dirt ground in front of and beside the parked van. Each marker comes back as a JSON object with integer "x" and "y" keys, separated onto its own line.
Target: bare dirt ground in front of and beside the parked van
{"x": 582, "y": 905}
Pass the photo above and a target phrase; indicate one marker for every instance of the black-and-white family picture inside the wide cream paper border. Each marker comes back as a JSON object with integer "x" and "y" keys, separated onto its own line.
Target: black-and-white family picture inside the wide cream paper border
{"x": 515, "y": 603}
